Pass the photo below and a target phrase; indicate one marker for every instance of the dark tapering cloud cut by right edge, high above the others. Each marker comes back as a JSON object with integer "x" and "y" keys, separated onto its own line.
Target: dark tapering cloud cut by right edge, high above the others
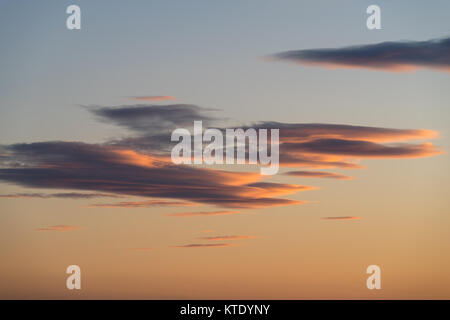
{"x": 390, "y": 56}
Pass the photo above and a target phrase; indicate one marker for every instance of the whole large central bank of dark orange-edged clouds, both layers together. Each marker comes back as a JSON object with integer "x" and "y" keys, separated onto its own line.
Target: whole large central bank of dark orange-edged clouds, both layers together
{"x": 141, "y": 166}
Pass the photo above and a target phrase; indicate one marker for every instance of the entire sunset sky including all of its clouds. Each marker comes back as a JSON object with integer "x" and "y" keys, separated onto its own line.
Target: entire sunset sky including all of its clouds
{"x": 85, "y": 176}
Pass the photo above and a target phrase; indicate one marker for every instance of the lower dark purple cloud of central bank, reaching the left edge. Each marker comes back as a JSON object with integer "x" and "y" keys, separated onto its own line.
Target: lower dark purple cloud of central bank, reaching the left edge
{"x": 80, "y": 166}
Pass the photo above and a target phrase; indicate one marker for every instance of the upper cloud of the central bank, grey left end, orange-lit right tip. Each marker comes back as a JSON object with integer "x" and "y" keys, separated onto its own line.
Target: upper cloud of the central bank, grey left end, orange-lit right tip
{"x": 299, "y": 142}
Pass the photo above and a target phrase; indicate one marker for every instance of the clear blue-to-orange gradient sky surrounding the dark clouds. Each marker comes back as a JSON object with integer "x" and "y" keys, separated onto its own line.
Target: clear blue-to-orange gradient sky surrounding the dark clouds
{"x": 213, "y": 54}
